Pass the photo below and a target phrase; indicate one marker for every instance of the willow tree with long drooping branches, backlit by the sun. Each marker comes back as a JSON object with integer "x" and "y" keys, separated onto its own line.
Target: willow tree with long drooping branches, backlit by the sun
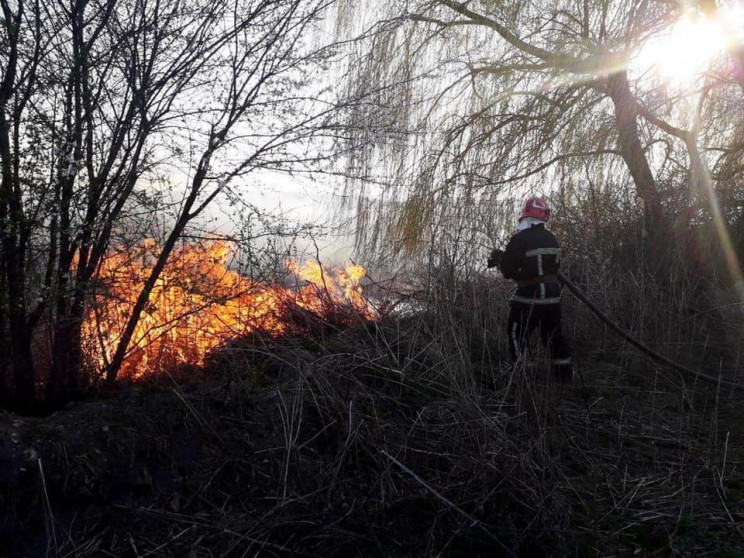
{"x": 469, "y": 100}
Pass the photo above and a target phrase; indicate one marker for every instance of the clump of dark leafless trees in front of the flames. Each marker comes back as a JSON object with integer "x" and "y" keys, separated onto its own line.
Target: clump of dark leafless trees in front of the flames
{"x": 98, "y": 100}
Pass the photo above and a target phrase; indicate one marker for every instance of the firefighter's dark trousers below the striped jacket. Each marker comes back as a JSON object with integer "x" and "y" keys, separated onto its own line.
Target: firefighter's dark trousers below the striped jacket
{"x": 524, "y": 318}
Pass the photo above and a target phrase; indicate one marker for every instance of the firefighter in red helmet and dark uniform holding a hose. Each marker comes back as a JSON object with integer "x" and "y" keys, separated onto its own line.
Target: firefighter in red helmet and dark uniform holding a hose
{"x": 531, "y": 258}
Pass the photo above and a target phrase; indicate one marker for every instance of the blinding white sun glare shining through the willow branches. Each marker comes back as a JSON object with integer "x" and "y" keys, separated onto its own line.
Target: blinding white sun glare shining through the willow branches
{"x": 690, "y": 46}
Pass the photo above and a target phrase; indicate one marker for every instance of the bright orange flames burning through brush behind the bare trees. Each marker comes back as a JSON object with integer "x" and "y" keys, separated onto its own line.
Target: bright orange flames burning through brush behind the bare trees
{"x": 198, "y": 303}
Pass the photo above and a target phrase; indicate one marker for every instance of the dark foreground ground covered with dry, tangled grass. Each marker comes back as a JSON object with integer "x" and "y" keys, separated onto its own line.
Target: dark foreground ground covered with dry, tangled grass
{"x": 370, "y": 443}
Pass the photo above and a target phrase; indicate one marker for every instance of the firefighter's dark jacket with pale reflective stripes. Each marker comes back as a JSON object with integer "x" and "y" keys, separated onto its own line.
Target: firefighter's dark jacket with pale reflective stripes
{"x": 532, "y": 258}
